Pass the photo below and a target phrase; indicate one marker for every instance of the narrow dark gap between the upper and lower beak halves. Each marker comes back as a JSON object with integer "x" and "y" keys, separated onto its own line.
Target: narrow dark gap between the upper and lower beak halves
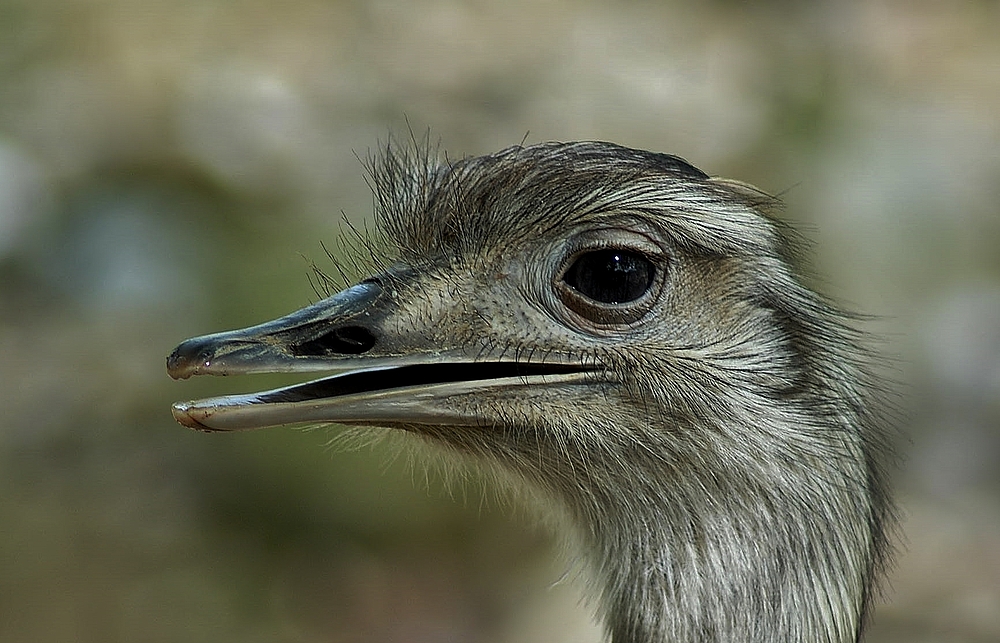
{"x": 373, "y": 380}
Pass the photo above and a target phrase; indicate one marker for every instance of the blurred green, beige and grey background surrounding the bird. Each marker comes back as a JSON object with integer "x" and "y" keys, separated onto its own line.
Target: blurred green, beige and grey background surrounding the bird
{"x": 170, "y": 168}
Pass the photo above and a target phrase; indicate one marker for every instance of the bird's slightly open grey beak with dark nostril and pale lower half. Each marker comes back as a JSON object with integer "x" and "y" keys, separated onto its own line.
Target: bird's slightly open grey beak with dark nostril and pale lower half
{"x": 384, "y": 378}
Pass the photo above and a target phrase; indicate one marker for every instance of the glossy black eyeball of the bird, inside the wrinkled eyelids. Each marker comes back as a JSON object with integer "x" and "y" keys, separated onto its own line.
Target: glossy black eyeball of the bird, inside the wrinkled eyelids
{"x": 611, "y": 276}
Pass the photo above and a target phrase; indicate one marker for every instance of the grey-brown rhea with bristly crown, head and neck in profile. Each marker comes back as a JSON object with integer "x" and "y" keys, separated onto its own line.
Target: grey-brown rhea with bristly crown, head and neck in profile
{"x": 624, "y": 336}
